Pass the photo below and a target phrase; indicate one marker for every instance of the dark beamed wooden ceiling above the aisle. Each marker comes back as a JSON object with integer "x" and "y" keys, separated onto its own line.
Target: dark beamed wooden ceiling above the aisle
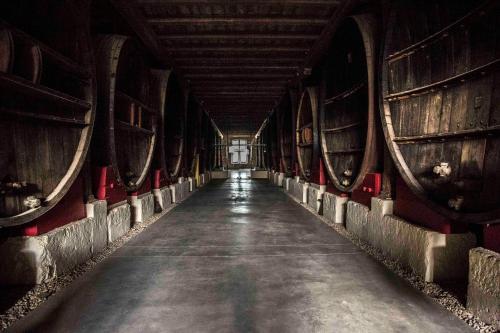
{"x": 238, "y": 56}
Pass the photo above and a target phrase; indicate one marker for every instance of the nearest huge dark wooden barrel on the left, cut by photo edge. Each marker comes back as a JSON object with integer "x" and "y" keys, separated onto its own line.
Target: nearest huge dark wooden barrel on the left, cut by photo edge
{"x": 47, "y": 116}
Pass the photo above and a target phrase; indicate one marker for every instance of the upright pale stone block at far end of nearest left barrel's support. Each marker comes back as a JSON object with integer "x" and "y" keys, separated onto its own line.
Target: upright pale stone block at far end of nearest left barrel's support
{"x": 98, "y": 210}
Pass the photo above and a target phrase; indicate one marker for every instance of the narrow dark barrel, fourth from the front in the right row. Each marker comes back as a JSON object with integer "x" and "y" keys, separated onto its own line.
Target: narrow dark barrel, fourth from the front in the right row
{"x": 286, "y": 135}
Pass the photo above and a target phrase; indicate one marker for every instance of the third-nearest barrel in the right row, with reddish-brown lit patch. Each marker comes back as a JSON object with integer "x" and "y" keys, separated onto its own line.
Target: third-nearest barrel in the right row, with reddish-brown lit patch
{"x": 306, "y": 132}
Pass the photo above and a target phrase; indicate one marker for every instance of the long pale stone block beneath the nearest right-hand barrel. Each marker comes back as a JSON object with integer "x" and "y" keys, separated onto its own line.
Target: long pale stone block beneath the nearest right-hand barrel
{"x": 430, "y": 254}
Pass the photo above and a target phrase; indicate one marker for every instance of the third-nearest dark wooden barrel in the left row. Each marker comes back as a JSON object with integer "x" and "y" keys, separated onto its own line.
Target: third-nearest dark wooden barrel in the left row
{"x": 167, "y": 92}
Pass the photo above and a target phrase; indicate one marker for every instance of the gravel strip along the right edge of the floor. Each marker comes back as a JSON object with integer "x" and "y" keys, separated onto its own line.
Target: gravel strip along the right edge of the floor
{"x": 433, "y": 290}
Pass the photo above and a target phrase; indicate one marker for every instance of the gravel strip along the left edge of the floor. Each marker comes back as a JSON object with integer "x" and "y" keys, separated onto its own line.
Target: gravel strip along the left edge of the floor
{"x": 40, "y": 293}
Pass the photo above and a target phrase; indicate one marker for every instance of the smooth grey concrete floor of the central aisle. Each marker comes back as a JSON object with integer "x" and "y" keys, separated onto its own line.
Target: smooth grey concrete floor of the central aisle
{"x": 240, "y": 256}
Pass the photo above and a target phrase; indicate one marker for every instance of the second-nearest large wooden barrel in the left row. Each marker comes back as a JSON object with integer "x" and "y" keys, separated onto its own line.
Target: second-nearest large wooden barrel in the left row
{"x": 126, "y": 131}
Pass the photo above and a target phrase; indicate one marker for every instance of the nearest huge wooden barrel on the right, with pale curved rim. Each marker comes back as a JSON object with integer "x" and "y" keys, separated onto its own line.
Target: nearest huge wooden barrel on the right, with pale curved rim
{"x": 444, "y": 91}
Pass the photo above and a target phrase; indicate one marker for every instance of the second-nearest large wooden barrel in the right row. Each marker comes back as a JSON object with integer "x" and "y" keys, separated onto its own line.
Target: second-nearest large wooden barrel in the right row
{"x": 347, "y": 115}
